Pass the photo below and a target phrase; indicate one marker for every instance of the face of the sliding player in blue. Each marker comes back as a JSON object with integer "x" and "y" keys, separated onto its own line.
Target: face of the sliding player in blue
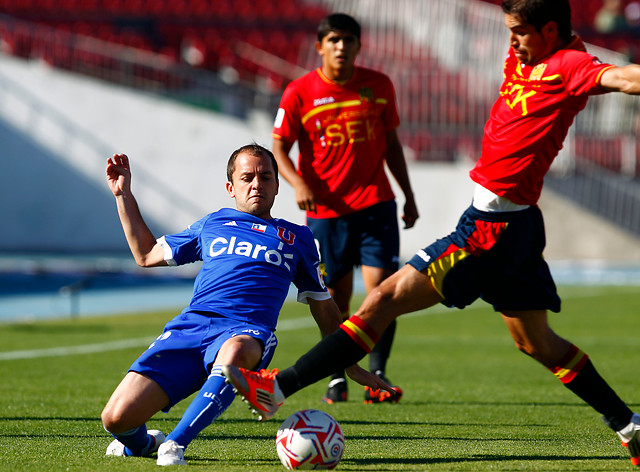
{"x": 254, "y": 185}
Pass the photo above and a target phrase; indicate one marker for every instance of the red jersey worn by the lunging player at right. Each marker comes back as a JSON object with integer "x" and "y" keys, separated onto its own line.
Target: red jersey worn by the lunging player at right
{"x": 531, "y": 118}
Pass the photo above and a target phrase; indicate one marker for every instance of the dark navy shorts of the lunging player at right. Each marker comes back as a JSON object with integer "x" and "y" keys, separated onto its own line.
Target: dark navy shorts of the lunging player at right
{"x": 494, "y": 256}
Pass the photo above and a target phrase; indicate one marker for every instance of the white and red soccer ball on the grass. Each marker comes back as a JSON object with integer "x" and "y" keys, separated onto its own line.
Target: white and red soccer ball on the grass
{"x": 310, "y": 439}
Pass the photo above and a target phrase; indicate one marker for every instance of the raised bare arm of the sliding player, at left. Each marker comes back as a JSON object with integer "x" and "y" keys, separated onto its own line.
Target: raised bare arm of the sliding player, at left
{"x": 144, "y": 247}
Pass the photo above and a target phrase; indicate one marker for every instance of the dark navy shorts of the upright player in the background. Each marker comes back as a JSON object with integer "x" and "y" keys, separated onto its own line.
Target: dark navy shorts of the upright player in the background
{"x": 367, "y": 237}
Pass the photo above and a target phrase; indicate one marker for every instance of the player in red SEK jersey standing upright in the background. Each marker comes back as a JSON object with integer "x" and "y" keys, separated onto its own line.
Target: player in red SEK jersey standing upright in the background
{"x": 344, "y": 119}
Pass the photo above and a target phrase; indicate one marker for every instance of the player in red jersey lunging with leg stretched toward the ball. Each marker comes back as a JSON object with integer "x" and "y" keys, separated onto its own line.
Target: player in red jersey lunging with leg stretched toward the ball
{"x": 495, "y": 253}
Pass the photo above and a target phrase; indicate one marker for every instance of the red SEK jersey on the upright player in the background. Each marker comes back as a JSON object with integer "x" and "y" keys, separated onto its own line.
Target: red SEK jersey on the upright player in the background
{"x": 340, "y": 129}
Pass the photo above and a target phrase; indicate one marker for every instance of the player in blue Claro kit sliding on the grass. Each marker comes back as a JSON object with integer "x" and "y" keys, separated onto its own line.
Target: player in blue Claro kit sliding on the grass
{"x": 249, "y": 260}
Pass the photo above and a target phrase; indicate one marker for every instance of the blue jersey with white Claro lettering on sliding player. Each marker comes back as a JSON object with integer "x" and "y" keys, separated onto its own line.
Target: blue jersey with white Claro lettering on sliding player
{"x": 248, "y": 264}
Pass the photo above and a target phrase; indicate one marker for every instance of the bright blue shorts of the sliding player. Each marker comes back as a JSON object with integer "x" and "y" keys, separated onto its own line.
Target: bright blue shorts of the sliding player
{"x": 180, "y": 358}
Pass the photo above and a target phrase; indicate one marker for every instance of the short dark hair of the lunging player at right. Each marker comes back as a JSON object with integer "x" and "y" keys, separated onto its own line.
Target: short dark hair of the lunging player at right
{"x": 538, "y": 13}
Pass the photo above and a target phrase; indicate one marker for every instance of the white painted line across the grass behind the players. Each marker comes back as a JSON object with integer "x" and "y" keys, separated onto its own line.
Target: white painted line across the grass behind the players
{"x": 284, "y": 325}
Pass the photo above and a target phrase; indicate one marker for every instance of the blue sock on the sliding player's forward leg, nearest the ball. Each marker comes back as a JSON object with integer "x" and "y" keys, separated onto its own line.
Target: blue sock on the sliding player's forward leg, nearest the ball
{"x": 212, "y": 400}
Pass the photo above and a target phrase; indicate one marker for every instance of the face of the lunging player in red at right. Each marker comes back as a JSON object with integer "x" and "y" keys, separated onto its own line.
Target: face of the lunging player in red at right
{"x": 529, "y": 44}
